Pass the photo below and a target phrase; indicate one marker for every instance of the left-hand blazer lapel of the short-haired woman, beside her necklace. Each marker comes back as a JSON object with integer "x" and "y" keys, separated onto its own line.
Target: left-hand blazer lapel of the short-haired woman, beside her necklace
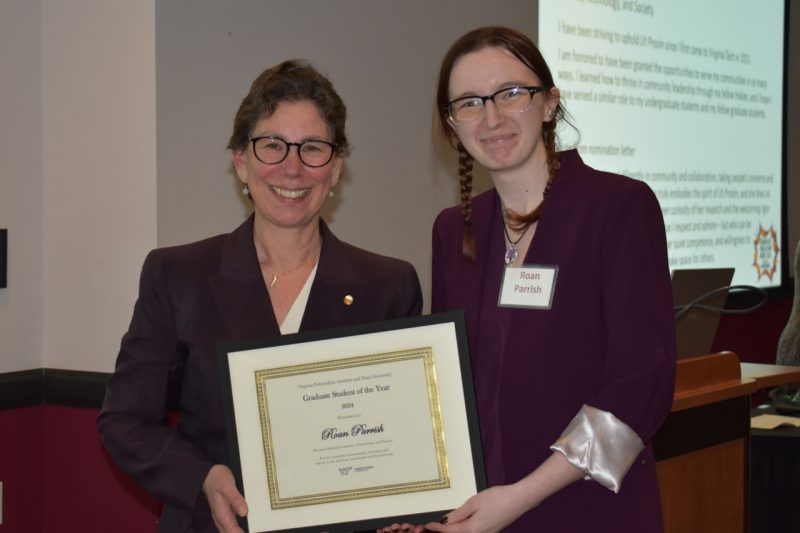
{"x": 239, "y": 291}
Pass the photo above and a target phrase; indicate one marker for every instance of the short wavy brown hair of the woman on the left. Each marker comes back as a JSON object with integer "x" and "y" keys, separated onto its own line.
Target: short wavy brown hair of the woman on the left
{"x": 290, "y": 81}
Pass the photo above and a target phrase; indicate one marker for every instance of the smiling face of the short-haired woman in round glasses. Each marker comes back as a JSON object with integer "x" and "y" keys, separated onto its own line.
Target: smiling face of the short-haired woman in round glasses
{"x": 288, "y": 194}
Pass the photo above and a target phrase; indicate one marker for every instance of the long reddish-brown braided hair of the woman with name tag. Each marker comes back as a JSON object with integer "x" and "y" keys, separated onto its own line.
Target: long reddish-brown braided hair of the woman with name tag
{"x": 523, "y": 49}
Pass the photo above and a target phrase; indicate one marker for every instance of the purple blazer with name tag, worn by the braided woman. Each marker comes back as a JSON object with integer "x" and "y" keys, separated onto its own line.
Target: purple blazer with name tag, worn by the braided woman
{"x": 608, "y": 340}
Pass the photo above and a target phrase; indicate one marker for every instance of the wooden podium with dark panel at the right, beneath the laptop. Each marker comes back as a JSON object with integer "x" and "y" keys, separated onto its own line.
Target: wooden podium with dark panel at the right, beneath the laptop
{"x": 703, "y": 448}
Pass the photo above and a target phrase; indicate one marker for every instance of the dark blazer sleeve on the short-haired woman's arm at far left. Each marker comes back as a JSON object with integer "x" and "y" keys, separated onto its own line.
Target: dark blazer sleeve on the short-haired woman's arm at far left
{"x": 134, "y": 420}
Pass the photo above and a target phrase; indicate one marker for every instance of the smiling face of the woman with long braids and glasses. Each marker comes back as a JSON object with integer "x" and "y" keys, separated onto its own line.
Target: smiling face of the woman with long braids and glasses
{"x": 501, "y": 141}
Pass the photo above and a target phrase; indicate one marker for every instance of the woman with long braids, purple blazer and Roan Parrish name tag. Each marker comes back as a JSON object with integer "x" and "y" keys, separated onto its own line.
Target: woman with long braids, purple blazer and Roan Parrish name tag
{"x": 562, "y": 270}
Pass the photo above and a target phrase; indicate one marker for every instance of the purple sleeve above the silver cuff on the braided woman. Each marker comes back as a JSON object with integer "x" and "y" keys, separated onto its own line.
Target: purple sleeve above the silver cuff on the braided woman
{"x": 637, "y": 379}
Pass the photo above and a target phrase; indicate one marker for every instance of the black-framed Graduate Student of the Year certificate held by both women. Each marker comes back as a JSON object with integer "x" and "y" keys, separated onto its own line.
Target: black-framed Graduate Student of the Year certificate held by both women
{"x": 353, "y": 428}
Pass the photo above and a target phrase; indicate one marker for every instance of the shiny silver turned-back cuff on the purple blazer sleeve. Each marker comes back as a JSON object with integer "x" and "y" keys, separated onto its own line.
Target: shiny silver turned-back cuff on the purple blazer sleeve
{"x": 599, "y": 445}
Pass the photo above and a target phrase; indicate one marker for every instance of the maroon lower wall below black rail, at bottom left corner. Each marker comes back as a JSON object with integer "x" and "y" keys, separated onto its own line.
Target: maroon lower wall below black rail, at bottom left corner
{"x": 57, "y": 477}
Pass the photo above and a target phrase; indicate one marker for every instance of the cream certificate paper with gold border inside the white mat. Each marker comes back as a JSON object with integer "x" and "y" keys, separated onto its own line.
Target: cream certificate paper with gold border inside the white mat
{"x": 352, "y": 428}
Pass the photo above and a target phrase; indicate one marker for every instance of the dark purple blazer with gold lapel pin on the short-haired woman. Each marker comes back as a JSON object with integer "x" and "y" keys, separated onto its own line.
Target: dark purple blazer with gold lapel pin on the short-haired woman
{"x": 190, "y": 298}
